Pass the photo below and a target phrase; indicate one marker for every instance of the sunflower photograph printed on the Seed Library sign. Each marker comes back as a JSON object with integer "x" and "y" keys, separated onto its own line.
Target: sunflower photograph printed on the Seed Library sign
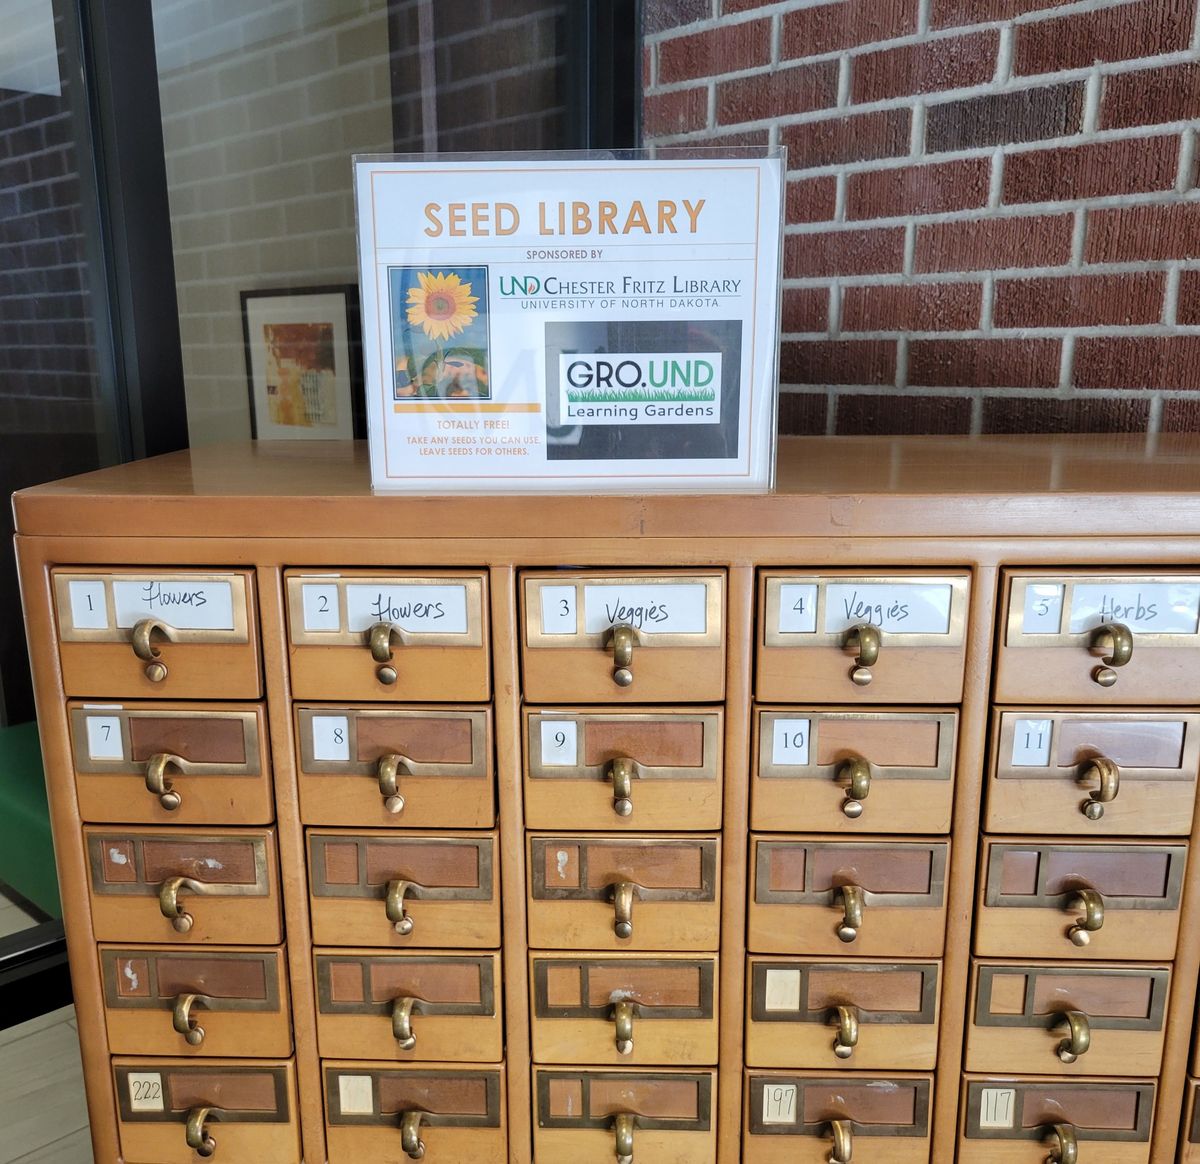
{"x": 440, "y": 333}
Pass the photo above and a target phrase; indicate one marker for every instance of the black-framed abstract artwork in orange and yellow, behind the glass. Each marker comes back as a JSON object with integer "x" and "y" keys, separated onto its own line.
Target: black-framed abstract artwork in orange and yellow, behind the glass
{"x": 304, "y": 363}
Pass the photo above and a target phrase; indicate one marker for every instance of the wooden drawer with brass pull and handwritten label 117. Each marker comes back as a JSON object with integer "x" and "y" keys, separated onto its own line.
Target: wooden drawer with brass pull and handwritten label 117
{"x": 1017, "y": 1121}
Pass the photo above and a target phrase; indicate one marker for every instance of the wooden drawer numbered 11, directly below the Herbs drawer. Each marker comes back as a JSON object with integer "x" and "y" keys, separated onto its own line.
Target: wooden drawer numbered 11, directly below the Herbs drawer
{"x": 1094, "y": 773}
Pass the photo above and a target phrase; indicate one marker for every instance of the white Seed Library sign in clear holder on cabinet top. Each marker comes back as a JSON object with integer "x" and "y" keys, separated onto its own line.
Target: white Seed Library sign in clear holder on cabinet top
{"x": 590, "y": 325}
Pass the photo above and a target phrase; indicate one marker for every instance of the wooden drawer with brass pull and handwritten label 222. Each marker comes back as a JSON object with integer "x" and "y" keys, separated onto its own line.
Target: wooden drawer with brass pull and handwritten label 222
{"x": 231, "y": 1111}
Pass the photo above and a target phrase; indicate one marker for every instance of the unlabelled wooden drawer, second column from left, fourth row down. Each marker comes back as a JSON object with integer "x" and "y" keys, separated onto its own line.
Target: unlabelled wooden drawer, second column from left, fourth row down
{"x": 415, "y": 1007}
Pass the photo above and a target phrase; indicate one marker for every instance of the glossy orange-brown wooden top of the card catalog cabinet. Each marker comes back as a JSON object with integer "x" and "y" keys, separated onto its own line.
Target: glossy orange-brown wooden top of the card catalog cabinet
{"x": 827, "y": 487}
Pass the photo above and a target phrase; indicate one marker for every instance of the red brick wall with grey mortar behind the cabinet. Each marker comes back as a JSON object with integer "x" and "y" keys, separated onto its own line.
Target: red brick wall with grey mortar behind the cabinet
{"x": 993, "y": 218}
